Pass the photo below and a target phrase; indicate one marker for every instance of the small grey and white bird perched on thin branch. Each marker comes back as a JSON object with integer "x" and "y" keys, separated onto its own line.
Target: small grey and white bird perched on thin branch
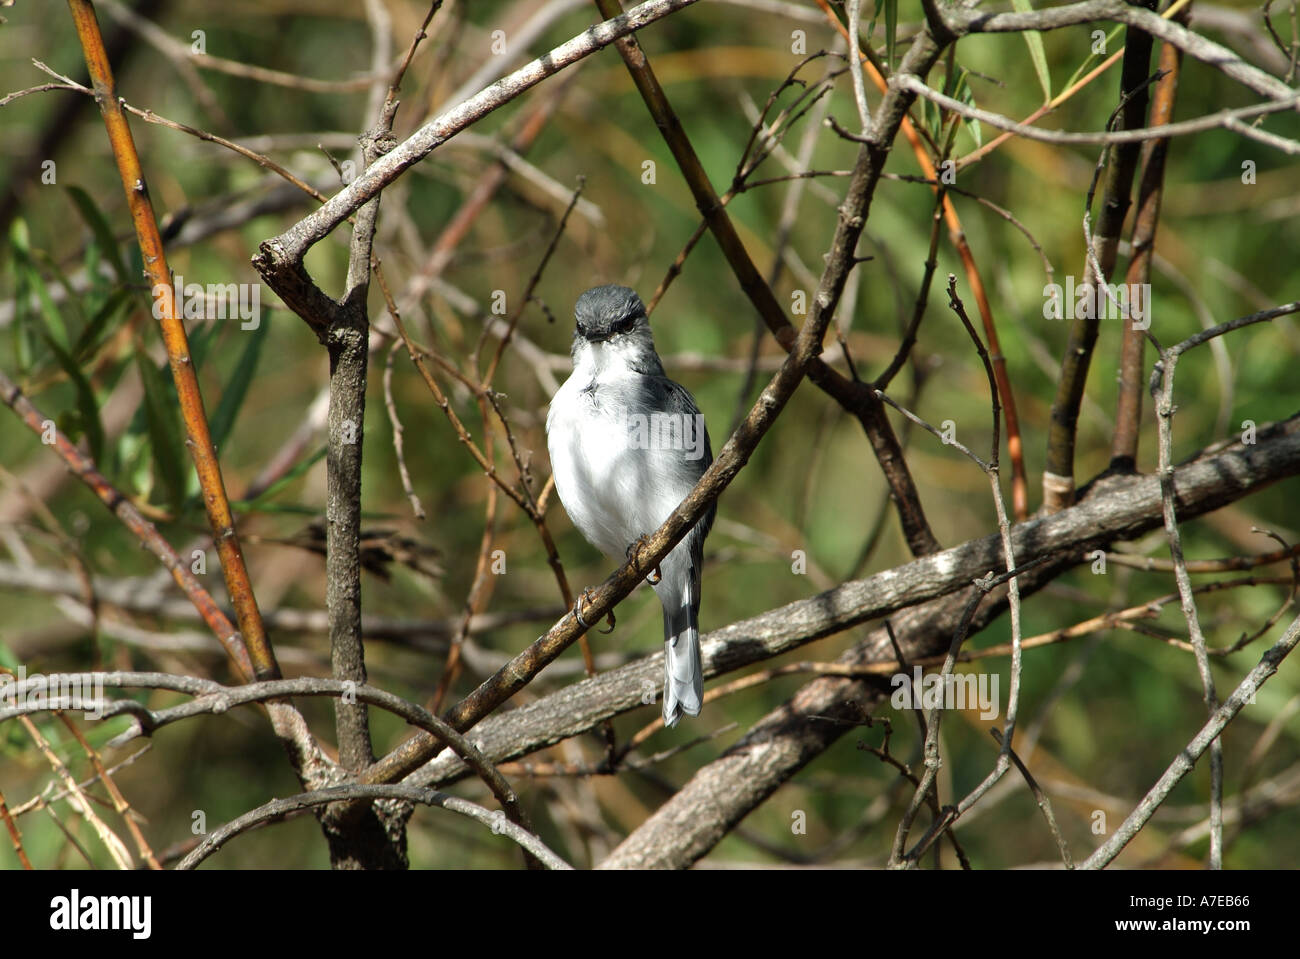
{"x": 627, "y": 445}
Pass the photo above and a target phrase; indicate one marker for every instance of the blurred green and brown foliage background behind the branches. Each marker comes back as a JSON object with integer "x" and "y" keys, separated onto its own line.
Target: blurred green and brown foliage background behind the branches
{"x": 79, "y": 333}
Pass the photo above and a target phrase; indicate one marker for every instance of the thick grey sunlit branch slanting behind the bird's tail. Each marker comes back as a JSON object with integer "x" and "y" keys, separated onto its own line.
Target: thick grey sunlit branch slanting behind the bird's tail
{"x": 1116, "y": 509}
